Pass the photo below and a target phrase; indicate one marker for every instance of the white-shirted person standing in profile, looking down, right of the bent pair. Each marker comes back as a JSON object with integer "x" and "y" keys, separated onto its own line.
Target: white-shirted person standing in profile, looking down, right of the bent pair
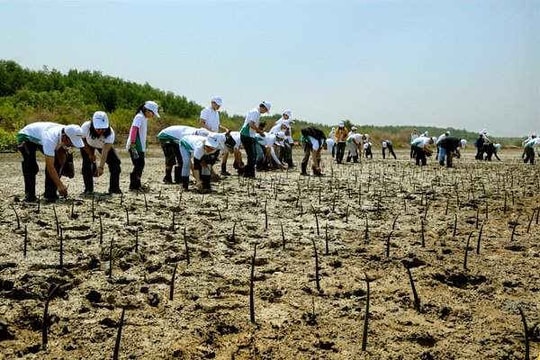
{"x": 247, "y": 136}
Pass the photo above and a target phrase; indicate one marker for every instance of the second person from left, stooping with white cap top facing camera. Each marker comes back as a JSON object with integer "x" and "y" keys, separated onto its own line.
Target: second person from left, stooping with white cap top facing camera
{"x": 98, "y": 135}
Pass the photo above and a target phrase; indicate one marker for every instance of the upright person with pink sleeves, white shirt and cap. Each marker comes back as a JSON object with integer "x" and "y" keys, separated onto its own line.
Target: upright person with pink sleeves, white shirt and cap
{"x": 136, "y": 141}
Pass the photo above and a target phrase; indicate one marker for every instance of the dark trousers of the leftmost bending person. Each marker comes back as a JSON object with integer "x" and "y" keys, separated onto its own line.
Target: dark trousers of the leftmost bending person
{"x": 30, "y": 169}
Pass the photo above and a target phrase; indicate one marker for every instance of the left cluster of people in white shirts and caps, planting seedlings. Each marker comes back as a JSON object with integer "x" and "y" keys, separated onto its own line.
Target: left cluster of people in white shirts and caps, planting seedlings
{"x": 187, "y": 150}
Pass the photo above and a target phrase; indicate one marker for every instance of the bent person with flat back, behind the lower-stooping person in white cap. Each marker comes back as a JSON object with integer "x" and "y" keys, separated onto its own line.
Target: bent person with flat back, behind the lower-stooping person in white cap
{"x": 169, "y": 138}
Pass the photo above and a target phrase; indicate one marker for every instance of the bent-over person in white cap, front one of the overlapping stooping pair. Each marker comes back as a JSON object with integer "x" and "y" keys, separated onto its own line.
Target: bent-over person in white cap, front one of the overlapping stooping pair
{"x": 198, "y": 148}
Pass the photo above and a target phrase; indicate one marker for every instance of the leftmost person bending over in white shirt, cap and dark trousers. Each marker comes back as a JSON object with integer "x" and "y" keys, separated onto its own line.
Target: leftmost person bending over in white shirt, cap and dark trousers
{"x": 52, "y": 140}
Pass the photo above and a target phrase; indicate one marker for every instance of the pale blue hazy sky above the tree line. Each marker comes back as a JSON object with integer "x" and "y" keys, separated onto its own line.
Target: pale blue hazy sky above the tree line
{"x": 469, "y": 64}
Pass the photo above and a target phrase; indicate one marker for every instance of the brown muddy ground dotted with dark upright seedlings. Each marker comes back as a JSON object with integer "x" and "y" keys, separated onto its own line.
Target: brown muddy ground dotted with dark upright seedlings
{"x": 370, "y": 218}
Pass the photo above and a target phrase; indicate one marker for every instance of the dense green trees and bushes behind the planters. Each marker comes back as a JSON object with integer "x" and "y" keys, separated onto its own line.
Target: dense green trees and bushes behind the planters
{"x": 49, "y": 95}
